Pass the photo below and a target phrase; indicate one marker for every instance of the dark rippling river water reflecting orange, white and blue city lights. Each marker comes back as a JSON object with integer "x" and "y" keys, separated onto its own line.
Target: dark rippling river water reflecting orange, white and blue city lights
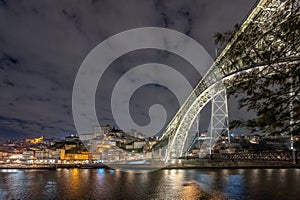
{"x": 163, "y": 184}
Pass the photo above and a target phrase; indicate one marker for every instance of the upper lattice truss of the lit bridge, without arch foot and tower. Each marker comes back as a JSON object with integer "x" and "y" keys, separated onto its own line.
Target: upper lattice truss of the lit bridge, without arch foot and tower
{"x": 223, "y": 66}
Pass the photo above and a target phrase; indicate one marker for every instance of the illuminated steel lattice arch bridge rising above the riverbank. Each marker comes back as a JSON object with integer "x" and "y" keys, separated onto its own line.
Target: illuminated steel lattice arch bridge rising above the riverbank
{"x": 263, "y": 30}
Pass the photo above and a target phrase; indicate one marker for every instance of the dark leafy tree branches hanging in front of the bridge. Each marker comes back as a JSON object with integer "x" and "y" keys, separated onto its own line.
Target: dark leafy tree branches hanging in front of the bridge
{"x": 272, "y": 89}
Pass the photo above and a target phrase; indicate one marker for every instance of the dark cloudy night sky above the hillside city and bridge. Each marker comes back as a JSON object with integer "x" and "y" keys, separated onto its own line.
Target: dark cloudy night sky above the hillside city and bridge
{"x": 43, "y": 43}
